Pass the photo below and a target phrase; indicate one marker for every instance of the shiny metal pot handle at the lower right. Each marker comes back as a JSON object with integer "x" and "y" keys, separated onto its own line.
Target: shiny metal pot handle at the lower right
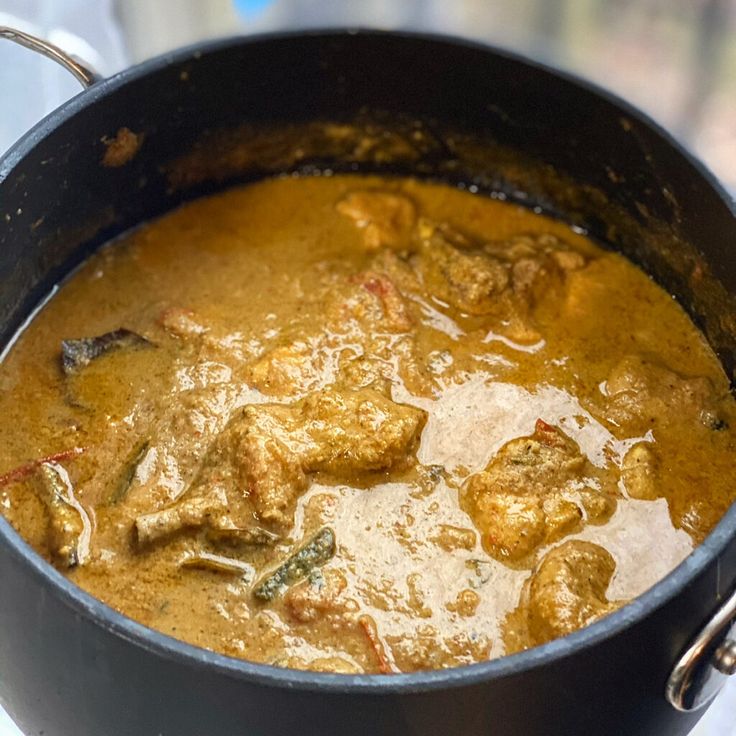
{"x": 706, "y": 664}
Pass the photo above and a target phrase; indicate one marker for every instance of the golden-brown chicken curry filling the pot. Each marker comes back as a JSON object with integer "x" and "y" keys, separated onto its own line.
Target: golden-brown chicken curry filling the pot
{"x": 363, "y": 425}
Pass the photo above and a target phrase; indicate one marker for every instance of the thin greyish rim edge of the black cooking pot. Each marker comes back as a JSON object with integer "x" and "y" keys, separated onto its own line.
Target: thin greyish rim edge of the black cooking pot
{"x": 162, "y": 645}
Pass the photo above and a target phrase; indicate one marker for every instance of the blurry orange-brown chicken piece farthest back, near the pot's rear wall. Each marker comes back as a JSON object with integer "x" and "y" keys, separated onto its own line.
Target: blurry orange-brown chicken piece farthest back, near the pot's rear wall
{"x": 385, "y": 218}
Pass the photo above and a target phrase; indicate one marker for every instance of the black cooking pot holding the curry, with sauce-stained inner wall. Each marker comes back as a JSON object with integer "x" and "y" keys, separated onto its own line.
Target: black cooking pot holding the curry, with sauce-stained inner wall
{"x": 71, "y": 665}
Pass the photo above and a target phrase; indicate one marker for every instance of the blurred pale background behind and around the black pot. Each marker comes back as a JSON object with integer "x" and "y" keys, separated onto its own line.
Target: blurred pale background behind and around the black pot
{"x": 675, "y": 59}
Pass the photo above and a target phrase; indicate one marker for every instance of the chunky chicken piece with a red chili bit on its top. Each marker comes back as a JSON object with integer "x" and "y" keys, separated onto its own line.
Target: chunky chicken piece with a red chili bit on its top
{"x": 535, "y": 491}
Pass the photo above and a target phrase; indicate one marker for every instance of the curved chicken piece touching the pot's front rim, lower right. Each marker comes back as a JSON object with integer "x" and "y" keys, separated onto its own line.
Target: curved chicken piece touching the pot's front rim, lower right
{"x": 568, "y": 590}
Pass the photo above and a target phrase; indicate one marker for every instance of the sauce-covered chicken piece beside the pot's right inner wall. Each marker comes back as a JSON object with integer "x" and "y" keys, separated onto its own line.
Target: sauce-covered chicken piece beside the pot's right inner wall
{"x": 642, "y": 393}
